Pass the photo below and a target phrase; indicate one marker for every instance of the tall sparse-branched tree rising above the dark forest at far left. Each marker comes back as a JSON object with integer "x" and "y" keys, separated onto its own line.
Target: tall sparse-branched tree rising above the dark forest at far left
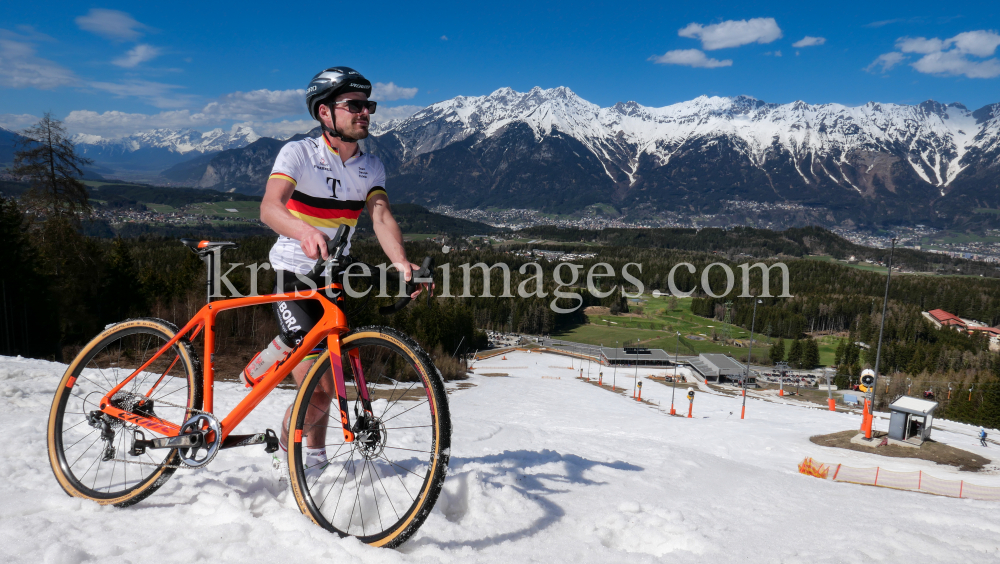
{"x": 49, "y": 160}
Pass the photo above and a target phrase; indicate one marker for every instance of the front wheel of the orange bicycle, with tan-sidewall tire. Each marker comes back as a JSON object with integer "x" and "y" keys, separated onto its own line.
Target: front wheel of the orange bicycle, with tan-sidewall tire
{"x": 386, "y": 357}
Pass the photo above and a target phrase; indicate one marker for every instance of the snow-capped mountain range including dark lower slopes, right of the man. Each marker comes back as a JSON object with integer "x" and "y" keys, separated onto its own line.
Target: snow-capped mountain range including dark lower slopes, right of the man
{"x": 555, "y": 150}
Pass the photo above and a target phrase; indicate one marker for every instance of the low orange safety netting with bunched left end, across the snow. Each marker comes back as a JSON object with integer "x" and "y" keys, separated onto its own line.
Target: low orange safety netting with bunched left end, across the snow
{"x": 910, "y": 481}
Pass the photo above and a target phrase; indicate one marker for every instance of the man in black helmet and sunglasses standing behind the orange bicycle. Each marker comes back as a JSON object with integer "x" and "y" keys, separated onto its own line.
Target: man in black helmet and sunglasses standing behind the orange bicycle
{"x": 317, "y": 185}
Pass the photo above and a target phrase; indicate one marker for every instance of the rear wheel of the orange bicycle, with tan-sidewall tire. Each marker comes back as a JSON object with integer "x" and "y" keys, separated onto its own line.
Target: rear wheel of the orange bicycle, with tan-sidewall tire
{"x": 98, "y": 368}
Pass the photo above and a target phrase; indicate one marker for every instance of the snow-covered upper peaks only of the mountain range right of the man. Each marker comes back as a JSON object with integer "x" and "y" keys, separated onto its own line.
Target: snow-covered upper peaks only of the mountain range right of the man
{"x": 934, "y": 137}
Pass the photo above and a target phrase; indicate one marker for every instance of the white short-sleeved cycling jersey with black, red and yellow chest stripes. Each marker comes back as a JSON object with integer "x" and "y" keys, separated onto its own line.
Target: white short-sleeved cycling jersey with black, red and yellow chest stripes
{"x": 328, "y": 193}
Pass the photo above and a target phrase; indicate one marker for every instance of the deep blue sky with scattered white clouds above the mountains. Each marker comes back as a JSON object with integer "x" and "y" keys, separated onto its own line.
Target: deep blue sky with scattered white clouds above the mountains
{"x": 112, "y": 68}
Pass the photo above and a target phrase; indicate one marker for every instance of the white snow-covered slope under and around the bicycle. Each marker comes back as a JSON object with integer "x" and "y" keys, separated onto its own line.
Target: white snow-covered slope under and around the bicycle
{"x": 544, "y": 468}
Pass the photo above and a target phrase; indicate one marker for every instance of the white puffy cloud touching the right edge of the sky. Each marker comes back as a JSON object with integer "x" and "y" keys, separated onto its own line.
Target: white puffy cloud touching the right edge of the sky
{"x": 948, "y": 56}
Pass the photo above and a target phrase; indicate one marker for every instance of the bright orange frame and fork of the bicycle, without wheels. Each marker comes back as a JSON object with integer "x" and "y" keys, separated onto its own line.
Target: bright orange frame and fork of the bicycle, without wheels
{"x": 330, "y": 327}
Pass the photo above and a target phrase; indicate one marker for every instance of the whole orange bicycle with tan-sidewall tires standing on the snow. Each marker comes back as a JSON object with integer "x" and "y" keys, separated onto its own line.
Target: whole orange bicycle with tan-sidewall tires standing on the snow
{"x": 136, "y": 404}
